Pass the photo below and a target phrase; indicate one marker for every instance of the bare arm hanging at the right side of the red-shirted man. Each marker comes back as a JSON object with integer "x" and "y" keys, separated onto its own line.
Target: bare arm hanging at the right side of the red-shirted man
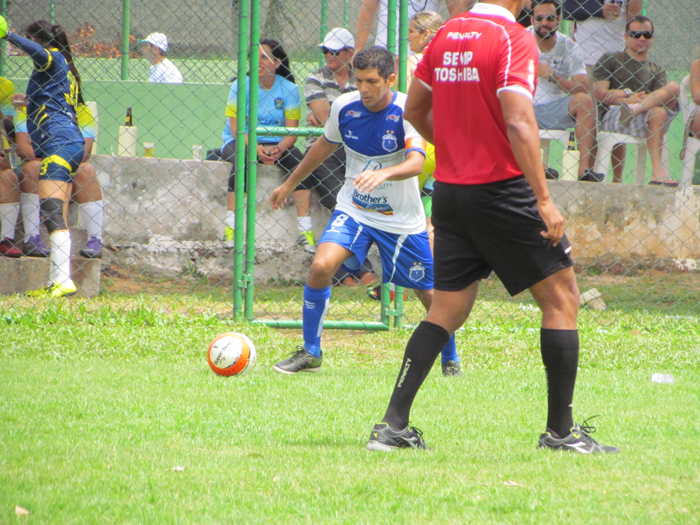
{"x": 524, "y": 138}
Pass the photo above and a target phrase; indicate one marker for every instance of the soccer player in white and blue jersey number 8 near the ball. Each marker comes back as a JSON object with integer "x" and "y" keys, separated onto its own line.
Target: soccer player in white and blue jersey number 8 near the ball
{"x": 379, "y": 202}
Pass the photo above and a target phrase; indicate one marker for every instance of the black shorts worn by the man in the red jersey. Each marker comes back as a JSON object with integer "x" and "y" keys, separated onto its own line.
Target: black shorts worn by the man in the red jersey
{"x": 496, "y": 227}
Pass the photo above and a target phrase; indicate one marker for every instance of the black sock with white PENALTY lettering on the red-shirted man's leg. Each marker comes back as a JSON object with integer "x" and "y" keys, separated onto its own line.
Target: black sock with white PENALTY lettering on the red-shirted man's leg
{"x": 423, "y": 347}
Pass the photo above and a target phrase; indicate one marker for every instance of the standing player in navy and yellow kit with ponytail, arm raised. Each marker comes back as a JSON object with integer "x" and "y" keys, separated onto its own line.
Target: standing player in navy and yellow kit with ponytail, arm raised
{"x": 52, "y": 95}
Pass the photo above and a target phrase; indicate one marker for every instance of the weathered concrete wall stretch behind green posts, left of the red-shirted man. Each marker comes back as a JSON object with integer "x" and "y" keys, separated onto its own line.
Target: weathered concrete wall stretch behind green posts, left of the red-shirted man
{"x": 165, "y": 215}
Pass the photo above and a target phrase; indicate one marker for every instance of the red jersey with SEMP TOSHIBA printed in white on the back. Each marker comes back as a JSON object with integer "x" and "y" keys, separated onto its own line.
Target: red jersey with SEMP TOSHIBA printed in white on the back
{"x": 469, "y": 62}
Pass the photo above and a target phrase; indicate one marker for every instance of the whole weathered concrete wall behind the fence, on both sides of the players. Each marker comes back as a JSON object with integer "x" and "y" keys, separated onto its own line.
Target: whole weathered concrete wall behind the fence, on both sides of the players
{"x": 166, "y": 215}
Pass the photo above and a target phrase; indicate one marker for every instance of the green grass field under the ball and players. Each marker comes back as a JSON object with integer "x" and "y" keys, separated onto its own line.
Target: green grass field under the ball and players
{"x": 114, "y": 417}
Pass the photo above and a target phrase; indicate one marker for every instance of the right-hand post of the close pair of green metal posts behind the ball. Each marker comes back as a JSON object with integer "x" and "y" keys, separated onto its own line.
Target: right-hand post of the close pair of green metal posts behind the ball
{"x": 252, "y": 160}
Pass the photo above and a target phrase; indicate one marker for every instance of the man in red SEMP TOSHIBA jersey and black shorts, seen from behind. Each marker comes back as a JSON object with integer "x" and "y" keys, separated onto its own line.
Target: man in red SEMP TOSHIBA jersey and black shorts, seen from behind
{"x": 492, "y": 211}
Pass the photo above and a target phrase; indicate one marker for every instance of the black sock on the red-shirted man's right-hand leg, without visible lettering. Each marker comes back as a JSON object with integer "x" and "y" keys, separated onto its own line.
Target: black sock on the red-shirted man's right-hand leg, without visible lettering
{"x": 560, "y": 357}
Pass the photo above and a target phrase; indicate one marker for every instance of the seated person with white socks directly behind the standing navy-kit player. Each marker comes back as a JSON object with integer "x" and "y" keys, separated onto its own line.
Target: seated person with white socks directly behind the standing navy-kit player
{"x": 85, "y": 189}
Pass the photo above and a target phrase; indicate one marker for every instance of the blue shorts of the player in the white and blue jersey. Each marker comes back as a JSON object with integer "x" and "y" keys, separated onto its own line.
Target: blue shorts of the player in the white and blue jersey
{"x": 406, "y": 259}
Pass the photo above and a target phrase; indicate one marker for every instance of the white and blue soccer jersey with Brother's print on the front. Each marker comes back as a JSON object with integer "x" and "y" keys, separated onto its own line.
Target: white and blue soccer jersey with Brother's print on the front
{"x": 375, "y": 140}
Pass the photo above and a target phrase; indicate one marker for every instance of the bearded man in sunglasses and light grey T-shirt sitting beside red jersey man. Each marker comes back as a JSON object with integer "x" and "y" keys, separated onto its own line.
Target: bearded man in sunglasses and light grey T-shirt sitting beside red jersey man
{"x": 562, "y": 98}
